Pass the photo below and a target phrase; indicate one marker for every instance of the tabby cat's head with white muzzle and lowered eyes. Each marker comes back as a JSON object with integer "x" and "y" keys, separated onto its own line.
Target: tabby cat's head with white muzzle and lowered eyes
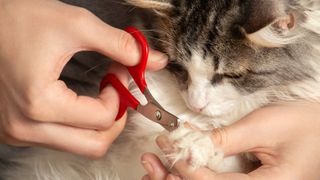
{"x": 224, "y": 50}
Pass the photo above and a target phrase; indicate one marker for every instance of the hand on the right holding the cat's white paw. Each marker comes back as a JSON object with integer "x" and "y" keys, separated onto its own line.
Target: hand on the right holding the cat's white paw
{"x": 285, "y": 138}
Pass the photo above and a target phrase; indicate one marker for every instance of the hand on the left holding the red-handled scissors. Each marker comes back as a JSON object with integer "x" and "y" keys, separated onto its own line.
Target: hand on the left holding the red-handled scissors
{"x": 37, "y": 39}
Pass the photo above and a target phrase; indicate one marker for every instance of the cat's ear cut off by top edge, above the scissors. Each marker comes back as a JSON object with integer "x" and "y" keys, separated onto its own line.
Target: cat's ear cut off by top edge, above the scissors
{"x": 157, "y": 5}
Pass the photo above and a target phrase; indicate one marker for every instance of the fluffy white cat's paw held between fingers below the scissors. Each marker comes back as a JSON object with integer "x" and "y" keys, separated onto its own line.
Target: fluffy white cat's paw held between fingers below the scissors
{"x": 194, "y": 146}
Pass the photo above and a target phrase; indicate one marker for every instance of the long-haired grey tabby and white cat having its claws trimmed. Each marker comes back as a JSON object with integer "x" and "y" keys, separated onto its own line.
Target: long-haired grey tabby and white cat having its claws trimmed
{"x": 227, "y": 58}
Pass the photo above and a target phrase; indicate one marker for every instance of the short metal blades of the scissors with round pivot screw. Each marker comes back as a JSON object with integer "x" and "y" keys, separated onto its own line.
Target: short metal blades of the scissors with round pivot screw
{"x": 159, "y": 115}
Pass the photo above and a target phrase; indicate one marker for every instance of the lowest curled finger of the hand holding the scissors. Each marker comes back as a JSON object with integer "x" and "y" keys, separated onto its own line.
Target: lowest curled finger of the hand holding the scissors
{"x": 85, "y": 142}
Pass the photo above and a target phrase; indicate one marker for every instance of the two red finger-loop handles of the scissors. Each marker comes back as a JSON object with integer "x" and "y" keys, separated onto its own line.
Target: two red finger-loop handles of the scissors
{"x": 137, "y": 72}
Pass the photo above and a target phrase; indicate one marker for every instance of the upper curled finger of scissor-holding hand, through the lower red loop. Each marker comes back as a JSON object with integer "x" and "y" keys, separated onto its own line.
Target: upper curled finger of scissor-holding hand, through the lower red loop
{"x": 59, "y": 104}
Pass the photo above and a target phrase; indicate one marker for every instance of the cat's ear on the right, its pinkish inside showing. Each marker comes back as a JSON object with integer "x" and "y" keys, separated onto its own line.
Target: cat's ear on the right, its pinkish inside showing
{"x": 268, "y": 24}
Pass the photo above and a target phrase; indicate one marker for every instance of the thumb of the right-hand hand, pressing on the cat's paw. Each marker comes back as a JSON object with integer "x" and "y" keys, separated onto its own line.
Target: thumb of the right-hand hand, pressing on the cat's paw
{"x": 259, "y": 129}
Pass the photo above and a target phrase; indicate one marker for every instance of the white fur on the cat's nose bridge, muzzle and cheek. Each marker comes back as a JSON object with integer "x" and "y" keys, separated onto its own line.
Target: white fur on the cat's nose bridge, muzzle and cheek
{"x": 221, "y": 101}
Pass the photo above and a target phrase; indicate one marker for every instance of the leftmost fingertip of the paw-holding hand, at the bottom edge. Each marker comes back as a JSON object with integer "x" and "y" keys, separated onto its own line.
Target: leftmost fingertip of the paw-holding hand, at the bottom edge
{"x": 152, "y": 164}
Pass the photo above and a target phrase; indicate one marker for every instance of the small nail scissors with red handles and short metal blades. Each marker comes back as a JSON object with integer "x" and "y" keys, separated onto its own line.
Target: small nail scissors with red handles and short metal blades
{"x": 152, "y": 110}
